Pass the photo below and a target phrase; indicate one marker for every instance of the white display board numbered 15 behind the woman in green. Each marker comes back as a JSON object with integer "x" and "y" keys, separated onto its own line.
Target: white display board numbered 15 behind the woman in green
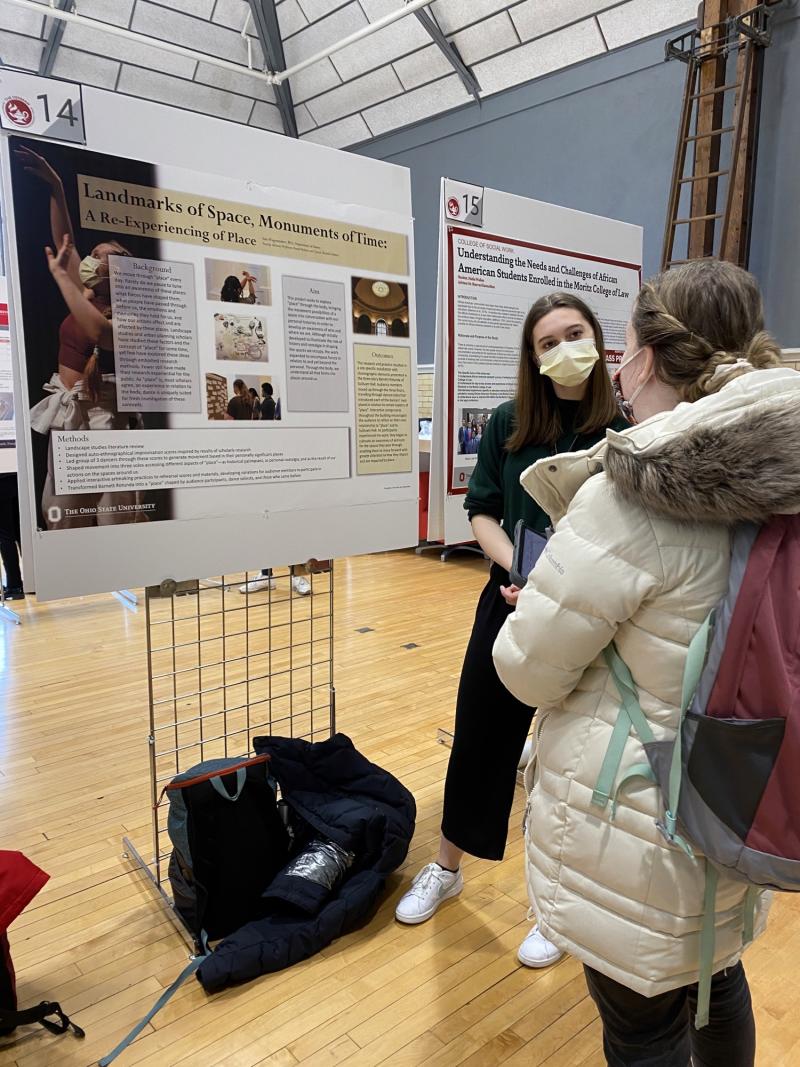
{"x": 499, "y": 254}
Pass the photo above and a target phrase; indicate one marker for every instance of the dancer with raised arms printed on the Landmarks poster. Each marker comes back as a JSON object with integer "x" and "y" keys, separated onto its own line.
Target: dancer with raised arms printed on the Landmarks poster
{"x": 83, "y": 393}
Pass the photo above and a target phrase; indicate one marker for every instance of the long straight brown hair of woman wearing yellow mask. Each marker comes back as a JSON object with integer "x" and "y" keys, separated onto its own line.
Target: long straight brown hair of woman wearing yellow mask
{"x": 538, "y": 420}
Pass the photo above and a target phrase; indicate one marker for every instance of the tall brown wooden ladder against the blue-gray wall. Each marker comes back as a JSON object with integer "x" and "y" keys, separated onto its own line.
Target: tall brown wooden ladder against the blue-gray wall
{"x": 712, "y": 194}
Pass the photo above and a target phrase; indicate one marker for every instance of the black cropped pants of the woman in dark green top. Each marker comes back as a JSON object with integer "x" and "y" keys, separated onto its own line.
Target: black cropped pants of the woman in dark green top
{"x": 491, "y": 728}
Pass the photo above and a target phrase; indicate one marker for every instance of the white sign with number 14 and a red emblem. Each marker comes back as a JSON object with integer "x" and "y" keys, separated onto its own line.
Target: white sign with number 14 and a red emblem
{"x": 41, "y": 107}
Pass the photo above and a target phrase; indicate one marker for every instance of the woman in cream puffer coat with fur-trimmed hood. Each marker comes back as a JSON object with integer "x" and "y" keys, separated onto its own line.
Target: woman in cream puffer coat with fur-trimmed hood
{"x": 641, "y": 556}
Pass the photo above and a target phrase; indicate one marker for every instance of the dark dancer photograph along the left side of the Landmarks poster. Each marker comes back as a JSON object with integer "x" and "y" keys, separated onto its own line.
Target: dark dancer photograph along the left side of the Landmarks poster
{"x": 68, "y": 316}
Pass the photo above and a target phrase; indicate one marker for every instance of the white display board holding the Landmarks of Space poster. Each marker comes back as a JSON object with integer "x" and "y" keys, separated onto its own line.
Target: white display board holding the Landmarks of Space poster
{"x": 245, "y": 392}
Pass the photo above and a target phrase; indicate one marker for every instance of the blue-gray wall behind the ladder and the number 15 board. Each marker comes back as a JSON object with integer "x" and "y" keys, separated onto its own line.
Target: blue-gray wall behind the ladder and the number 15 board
{"x": 601, "y": 137}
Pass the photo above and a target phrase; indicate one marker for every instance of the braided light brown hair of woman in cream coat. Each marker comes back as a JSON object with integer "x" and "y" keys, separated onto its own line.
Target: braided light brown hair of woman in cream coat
{"x": 699, "y": 318}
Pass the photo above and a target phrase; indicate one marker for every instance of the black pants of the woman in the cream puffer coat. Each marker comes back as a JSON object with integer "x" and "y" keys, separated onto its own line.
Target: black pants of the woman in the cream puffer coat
{"x": 660, "y": 1031}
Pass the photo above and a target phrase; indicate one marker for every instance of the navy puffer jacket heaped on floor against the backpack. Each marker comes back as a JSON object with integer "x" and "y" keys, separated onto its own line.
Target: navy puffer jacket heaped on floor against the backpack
{"x": 339, "y": 795}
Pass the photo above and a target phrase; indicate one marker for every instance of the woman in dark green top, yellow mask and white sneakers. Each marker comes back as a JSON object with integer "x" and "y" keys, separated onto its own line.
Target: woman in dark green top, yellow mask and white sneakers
{"x": 564, "y": 403}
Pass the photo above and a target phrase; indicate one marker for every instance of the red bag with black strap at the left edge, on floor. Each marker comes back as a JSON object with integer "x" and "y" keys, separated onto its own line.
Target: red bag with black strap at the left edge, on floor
{"x": 20, "y": 883}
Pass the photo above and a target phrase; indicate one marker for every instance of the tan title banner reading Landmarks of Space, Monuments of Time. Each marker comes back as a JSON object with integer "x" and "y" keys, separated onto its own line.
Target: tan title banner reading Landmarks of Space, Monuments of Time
{"x": 120, "y": 208}
